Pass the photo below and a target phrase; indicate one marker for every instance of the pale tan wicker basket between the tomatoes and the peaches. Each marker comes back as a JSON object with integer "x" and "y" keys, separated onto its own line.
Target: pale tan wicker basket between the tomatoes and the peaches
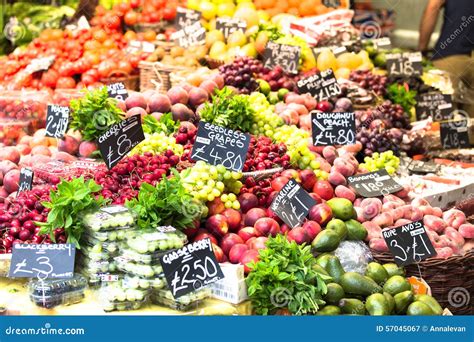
{"x": 156, "y": 75}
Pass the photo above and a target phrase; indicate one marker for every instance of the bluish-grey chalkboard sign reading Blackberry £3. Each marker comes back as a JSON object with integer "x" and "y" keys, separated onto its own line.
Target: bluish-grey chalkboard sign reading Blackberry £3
{"x": 42, "y": 261}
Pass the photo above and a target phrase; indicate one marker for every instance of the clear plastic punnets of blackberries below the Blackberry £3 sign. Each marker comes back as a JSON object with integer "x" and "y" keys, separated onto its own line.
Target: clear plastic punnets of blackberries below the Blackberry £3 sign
{"x": 54, "y": 292}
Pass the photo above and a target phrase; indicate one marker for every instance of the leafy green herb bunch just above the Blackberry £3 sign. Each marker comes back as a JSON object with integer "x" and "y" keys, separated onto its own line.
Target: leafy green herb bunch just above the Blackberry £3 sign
{"x": 66, "y": 206}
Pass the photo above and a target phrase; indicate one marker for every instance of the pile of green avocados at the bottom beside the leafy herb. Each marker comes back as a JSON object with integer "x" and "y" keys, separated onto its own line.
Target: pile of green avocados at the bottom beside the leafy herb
{"x": 383, "y": 290}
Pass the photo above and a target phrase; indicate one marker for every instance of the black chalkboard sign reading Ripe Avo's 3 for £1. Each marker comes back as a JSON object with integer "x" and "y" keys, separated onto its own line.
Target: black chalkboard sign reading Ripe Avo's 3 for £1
{"x": 409, "y": 243}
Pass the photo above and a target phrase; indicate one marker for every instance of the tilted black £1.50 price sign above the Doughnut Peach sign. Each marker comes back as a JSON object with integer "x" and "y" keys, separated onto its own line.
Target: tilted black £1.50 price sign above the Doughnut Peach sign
{"x": 321, "y": 86}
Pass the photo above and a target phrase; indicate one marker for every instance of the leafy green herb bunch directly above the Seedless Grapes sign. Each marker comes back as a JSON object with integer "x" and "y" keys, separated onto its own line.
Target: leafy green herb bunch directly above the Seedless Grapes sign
{"x": 229, "y": 110}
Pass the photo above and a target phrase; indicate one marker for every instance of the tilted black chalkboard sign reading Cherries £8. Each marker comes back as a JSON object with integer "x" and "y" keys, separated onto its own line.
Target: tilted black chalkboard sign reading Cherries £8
{"x": 120, "y": 139}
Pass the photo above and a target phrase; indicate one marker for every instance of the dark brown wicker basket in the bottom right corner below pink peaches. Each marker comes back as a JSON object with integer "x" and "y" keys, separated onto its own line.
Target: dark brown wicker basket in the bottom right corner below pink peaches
{"x": 451, "y": 280}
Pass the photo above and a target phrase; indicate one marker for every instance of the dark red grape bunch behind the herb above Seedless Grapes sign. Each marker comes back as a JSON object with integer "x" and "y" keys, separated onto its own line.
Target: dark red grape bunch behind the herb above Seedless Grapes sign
{"x": 241, "y": 74}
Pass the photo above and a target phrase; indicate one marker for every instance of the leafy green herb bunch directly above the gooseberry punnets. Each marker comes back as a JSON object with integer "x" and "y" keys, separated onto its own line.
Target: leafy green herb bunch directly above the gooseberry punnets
{"x": 167, "y": 203}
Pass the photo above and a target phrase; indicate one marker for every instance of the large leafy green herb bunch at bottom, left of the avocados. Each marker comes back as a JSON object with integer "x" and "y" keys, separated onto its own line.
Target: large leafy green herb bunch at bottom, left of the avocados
{"x": 284, "y": 278}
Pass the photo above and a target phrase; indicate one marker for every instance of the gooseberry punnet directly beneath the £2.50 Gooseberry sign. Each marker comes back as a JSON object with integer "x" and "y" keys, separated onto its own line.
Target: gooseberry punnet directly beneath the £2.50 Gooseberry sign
{"x": 183, "y": 303}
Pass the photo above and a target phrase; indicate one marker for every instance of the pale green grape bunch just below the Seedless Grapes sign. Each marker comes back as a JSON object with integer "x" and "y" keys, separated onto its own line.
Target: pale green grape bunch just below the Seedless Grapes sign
{"x": 206, "y": 182}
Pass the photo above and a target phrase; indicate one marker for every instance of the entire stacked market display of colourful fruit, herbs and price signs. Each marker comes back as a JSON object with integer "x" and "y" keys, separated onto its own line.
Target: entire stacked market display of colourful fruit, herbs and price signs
{"x": 226, "y": 149}
